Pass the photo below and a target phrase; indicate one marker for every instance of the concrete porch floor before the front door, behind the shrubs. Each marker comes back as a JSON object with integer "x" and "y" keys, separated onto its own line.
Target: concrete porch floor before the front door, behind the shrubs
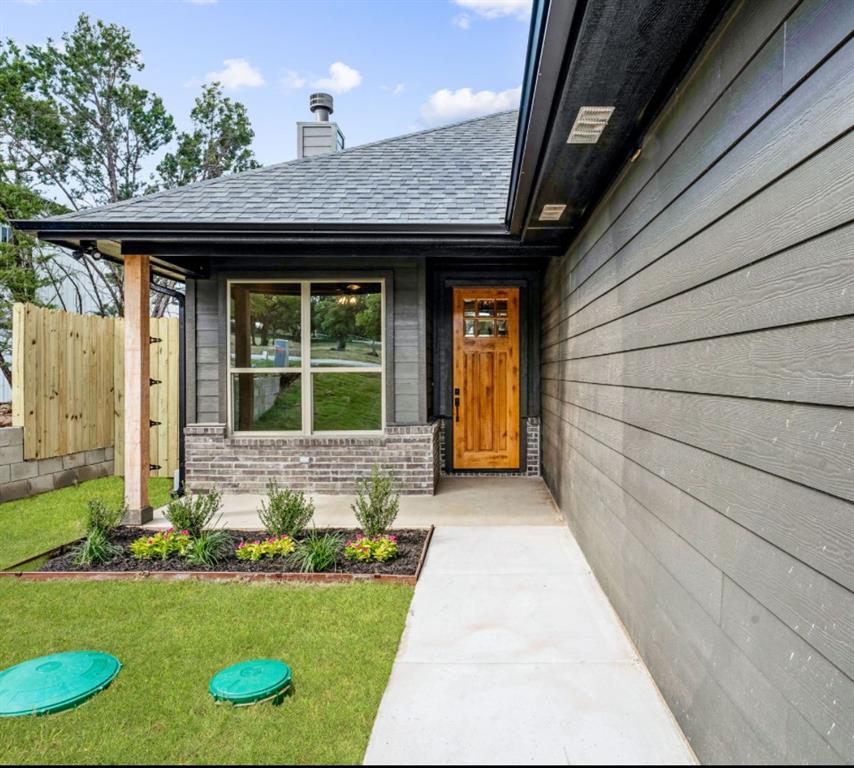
{"x": 459, "y": 500}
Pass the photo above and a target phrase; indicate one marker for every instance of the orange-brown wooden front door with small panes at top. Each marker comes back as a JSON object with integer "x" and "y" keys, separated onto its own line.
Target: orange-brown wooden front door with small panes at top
{"x": 486, "y": 378}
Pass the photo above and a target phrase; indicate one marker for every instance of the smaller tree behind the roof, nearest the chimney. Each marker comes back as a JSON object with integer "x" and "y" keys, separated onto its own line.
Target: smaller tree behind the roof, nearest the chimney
{"x": 218, "y": 143}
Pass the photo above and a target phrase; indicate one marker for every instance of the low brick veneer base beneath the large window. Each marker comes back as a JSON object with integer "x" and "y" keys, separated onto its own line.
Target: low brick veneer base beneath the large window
{"x": 317, "y": 464}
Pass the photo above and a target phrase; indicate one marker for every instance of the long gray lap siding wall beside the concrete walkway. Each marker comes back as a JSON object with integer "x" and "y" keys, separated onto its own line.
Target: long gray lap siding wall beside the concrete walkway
{"x": 698, "y": 390}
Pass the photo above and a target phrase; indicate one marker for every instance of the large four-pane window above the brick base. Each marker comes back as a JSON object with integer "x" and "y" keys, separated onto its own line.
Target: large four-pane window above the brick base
{"x": 306, "y": 356}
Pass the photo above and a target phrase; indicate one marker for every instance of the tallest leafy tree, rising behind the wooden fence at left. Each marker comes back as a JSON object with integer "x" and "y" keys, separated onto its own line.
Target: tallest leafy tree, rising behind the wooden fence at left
{"x": 73, "y": 124}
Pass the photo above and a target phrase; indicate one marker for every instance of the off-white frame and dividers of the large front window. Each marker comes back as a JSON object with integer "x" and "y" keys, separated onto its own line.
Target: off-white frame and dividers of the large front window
{"x": 306, "y": 369}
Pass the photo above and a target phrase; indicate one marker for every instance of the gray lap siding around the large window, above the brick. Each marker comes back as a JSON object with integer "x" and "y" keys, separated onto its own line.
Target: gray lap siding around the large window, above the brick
{"x": 405, "y": 333}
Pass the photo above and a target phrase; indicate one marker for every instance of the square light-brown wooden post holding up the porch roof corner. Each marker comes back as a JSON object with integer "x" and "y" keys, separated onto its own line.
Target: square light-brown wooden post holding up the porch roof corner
{"x": 137, "y": 396}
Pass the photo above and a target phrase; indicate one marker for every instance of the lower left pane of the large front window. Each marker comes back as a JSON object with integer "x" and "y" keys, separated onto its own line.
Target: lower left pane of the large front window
{"x": 269, "y": 402}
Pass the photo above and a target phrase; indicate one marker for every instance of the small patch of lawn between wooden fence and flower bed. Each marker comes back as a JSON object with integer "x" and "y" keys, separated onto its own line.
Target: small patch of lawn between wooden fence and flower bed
{"x": 33, "y": 525}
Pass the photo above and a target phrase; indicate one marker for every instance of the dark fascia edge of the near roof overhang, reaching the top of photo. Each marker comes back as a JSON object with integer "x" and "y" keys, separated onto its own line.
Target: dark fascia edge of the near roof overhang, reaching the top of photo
{"x": 554, "y": 29}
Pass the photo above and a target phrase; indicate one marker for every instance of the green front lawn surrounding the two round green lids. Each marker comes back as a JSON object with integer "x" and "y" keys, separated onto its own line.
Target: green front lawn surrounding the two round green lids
{"x": 172, "y": 636}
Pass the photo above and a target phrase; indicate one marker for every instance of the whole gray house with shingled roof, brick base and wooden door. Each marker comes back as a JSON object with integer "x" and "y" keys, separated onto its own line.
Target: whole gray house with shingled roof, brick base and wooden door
{"x": 641, "y": 285}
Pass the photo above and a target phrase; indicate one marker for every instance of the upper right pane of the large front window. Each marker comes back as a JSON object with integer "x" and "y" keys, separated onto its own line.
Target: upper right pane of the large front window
{"x": 346, "y": 324}
